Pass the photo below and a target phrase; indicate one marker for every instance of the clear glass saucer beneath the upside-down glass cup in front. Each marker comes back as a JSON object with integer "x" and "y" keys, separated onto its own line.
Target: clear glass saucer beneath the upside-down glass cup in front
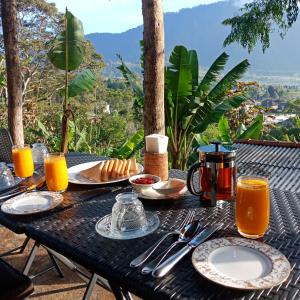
{"x": 103, "y": 228}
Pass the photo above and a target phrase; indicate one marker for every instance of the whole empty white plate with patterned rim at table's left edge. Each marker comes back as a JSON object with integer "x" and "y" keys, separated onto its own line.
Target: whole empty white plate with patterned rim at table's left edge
{"x": 31, "y": 203}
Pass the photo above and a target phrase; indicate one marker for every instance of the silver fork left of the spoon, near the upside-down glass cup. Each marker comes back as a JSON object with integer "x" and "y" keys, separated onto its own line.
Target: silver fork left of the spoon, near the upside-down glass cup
{"x": 145, "y": 255}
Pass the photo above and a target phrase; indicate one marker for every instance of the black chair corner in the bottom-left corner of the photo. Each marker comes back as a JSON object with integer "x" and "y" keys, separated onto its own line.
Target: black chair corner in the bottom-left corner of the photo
{"x": 13, "y": 284}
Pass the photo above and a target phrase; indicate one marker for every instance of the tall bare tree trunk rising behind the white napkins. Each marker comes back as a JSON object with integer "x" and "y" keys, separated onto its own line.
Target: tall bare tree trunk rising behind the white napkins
{"x": 154, "y": 113}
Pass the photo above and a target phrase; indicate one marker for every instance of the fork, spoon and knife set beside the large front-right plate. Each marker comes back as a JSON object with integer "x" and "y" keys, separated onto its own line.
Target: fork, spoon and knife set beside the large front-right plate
{"x": 190, "y": 232}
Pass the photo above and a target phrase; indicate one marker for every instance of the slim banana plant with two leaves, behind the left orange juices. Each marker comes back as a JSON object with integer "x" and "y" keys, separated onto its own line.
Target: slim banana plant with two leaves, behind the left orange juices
{"x": 66, "y": 53}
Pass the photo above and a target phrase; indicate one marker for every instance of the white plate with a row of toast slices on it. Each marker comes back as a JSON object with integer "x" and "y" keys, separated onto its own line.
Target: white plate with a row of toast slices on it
{"x": 104, "y": 171}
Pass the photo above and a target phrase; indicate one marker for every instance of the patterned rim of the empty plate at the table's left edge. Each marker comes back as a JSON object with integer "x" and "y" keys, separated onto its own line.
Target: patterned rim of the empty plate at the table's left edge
{"x": 7, "y": 208}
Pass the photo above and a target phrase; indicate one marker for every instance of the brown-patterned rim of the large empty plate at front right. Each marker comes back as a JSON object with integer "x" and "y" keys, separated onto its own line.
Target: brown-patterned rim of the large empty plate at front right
{"x": 280, "y": 265}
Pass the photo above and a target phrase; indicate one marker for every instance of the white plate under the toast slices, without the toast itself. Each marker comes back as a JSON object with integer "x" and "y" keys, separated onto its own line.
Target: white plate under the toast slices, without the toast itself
{"x": 75, "y": 177}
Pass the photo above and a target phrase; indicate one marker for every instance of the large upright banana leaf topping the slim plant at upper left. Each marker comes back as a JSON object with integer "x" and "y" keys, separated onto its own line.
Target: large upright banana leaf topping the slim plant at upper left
{"x": 74, "y": 43}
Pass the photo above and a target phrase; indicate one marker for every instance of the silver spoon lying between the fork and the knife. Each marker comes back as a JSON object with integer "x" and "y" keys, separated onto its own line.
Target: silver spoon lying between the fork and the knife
{"x": 185, "y": 235}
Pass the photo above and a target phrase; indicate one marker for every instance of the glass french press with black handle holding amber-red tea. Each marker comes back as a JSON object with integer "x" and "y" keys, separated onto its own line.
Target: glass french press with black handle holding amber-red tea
{"x": 217, "y": 174}
